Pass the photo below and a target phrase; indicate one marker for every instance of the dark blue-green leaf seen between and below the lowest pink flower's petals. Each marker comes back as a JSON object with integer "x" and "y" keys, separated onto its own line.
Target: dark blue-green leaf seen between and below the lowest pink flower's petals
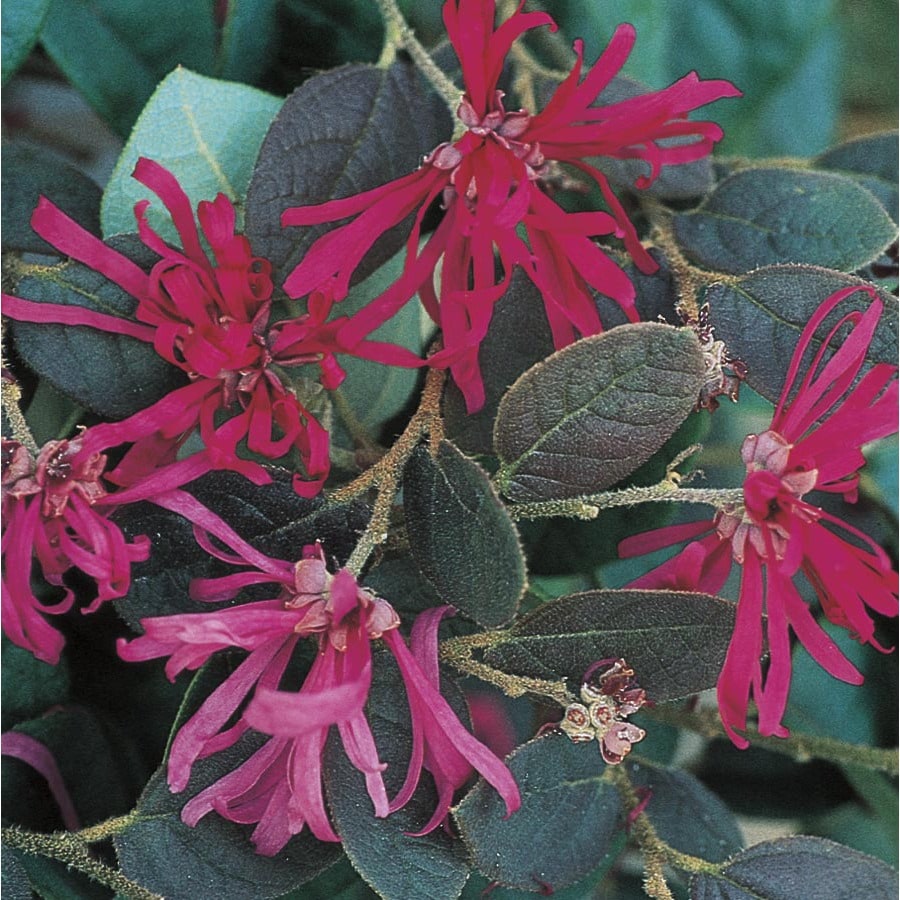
{"x": 395, "y": 865}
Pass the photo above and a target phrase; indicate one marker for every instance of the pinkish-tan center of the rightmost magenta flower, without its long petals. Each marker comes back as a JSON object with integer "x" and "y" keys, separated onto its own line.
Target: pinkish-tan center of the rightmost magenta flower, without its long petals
{"x": 773, "y": 494}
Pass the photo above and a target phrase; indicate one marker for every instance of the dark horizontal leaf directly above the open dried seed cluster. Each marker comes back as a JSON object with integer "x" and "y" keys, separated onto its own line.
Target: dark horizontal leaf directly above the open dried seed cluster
{"x": 674, "y": 641}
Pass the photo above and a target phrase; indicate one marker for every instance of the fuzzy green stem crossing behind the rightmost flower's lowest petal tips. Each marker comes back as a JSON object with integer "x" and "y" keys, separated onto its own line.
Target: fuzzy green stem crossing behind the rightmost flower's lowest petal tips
{"x": 802, "y": 747}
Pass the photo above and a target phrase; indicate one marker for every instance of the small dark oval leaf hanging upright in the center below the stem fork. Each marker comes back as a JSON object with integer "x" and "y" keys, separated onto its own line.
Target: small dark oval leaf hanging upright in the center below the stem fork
{"x": 461, "y": 535}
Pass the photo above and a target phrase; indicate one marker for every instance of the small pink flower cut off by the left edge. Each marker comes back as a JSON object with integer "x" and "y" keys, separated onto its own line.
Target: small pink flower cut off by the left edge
{"x": 55, "y": 511}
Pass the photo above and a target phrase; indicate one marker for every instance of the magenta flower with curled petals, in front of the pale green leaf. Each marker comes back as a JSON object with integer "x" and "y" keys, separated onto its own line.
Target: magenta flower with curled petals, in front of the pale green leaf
{"x": 211, "y": 320}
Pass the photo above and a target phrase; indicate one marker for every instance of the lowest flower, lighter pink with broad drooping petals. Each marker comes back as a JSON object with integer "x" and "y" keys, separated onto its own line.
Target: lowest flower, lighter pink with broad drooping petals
{"x": 279, "y": 787}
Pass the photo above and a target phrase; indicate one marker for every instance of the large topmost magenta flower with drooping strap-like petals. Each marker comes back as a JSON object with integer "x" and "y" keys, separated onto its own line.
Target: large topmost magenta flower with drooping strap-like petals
{"x": 495, "y": 181}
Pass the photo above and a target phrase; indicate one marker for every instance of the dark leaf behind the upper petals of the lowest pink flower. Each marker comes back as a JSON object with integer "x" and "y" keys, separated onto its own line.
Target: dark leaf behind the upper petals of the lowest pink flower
{"x": 270, "y": 516}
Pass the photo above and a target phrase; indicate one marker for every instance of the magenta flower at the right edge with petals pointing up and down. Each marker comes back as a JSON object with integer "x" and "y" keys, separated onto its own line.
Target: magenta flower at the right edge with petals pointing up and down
{"x": 814, "y": 443}
